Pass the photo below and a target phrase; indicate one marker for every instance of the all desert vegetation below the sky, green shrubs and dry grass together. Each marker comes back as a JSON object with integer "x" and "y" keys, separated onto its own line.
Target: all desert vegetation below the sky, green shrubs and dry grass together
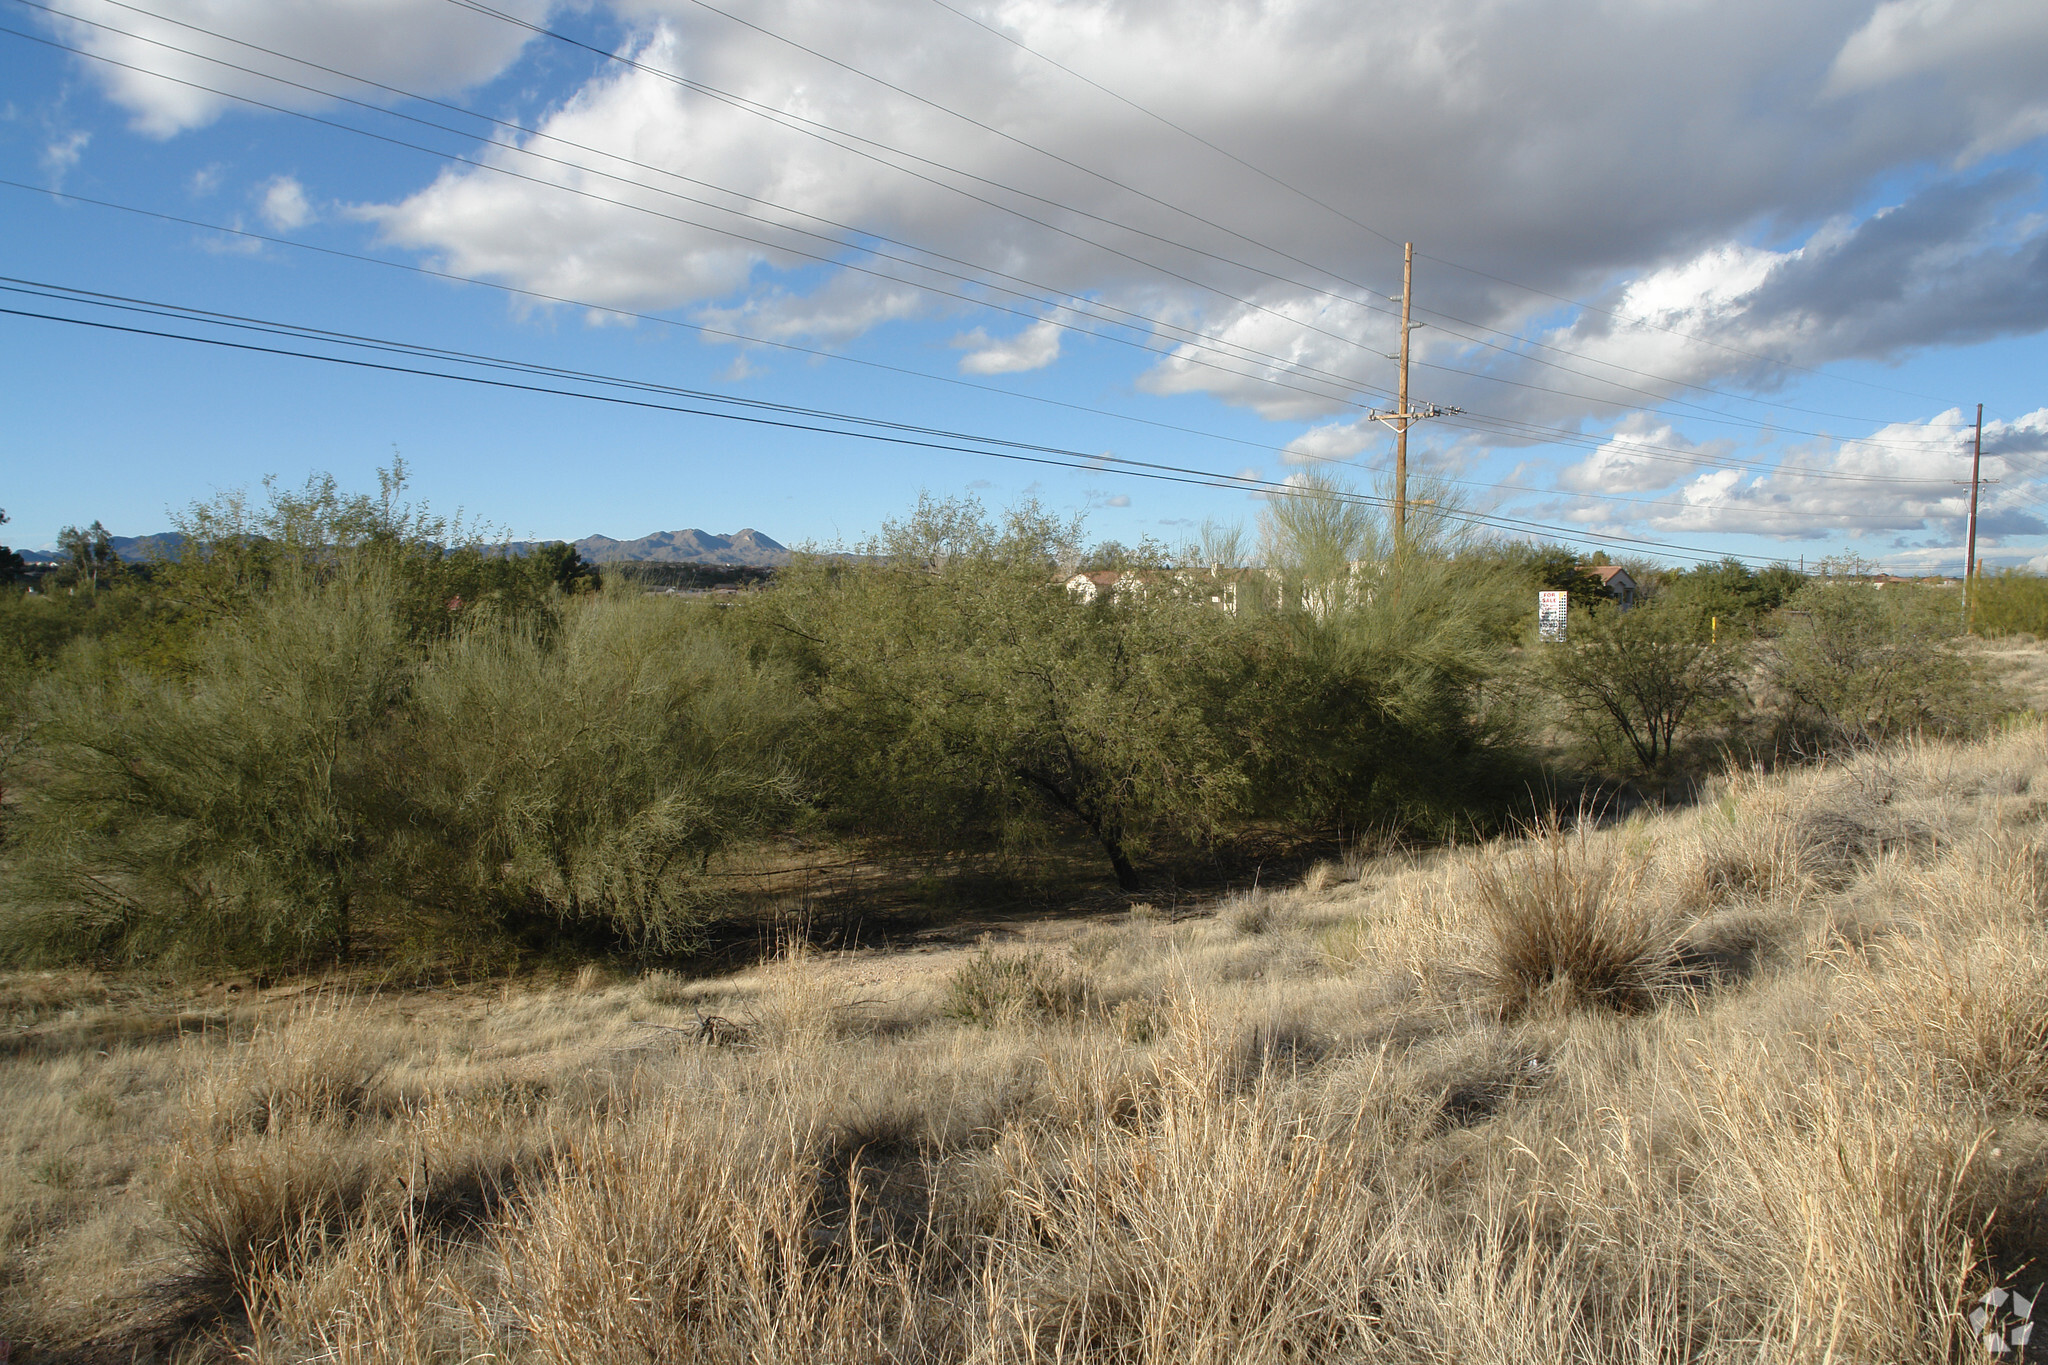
{"x": 376, "y": 926}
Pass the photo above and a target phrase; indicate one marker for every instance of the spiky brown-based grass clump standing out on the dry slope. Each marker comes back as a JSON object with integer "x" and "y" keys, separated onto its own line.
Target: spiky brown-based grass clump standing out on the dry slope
{"x": 1568, "y": 922}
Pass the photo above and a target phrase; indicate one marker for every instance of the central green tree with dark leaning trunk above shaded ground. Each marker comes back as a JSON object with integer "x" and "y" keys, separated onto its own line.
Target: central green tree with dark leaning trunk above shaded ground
{"x": 959, "y": 689}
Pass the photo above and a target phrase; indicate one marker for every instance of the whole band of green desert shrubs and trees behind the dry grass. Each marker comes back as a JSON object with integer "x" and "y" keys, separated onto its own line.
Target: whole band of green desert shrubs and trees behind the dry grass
{"x": 314, "y": 734}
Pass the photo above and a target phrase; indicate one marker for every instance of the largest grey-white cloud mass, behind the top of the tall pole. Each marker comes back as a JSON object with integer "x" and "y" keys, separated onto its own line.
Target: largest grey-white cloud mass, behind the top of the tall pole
{"x": 1617, "y": 165}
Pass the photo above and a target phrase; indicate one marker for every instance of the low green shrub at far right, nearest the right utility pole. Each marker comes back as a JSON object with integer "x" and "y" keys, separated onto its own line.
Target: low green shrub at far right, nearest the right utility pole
{"x": 1863, "y": 666}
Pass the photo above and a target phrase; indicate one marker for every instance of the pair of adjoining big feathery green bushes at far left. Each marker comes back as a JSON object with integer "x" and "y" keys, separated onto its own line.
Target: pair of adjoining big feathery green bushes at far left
{"x": 321, "y": 770}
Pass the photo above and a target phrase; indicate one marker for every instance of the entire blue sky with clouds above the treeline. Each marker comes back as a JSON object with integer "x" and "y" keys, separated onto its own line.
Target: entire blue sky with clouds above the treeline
{"x": 1693, "y": 290}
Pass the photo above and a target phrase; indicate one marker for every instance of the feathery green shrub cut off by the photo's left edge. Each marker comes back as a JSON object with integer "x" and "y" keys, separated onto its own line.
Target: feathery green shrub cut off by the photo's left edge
{"x": 220, "y": 818}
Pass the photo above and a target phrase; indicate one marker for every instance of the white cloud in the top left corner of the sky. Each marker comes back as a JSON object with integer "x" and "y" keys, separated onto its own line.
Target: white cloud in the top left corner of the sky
{"x": 423, "y": 46}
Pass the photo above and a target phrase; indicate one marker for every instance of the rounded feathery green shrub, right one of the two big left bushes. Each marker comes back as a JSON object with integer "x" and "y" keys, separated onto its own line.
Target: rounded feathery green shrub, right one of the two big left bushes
{"x": 589, "y": 775}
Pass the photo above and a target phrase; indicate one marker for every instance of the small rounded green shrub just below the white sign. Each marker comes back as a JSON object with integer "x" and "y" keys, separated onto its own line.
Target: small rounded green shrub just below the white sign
{"x": 1633, "y": 682}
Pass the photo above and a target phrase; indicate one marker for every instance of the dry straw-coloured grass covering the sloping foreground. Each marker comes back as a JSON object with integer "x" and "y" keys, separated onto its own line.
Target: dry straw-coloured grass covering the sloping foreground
{"x": 1756, "y": 1082}
